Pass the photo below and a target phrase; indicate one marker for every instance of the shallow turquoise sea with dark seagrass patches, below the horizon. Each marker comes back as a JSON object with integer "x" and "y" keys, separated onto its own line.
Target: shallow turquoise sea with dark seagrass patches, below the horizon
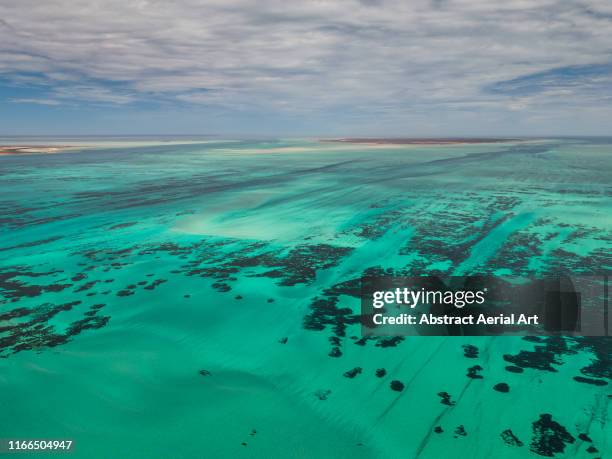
{"x": 125, "y": 272}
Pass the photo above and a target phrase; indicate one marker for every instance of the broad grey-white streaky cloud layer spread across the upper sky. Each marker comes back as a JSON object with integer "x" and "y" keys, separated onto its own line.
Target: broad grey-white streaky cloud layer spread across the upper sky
{"x": 394, "y": 57}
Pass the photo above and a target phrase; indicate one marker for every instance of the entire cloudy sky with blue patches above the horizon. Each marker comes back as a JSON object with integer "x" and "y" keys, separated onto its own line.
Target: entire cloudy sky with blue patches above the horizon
{"x": 299, "y": 68}
